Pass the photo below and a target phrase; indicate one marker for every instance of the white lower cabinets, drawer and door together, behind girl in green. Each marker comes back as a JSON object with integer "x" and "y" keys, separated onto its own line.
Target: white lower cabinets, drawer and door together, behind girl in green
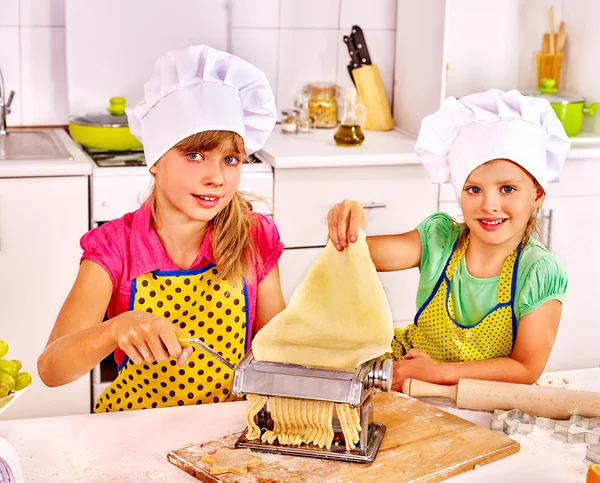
{"x": 569, "y": 231}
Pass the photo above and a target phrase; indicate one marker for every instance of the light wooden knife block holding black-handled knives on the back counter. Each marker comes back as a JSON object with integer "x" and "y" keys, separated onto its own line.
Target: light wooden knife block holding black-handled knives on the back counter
{"x": 372, "y": 95}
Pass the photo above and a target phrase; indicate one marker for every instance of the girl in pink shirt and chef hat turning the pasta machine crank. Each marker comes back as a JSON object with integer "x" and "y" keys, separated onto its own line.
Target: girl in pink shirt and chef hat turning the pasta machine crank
{"x": 194, "y": 257}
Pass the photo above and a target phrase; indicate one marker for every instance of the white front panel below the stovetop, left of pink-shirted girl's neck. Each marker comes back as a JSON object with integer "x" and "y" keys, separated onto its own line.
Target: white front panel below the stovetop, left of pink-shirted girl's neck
{"x": 113, "y": 196}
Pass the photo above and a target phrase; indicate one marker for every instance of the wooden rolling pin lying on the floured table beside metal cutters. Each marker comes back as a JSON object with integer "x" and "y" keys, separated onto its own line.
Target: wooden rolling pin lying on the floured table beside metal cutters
{"x": 547, "y": 402}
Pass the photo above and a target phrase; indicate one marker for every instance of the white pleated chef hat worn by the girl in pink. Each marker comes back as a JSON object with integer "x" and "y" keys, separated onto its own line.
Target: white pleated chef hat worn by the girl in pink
{"x": 200, "y": 89}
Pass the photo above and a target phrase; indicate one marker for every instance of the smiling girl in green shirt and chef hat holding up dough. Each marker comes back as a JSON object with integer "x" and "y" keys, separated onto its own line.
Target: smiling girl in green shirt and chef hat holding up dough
{"x": 490, "y": 295}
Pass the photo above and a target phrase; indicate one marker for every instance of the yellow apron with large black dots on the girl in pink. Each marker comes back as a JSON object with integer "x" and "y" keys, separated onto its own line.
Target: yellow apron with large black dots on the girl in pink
{"x": 214, "y": 311}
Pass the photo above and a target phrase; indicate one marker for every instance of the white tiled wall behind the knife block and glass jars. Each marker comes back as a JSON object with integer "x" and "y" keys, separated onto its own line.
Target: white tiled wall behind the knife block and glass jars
{"x": 299, "y": 41}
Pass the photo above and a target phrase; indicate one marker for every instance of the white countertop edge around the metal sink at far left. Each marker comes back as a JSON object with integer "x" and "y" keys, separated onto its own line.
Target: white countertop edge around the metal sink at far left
{"x": 79, "y": 165}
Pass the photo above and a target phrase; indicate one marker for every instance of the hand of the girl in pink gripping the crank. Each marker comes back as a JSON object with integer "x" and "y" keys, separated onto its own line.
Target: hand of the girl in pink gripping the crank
{"x": 147, "y": 337}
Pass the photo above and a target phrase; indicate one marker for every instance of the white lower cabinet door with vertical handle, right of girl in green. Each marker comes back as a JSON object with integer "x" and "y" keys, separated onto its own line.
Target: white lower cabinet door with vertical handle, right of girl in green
{"x": 574, "y": 235}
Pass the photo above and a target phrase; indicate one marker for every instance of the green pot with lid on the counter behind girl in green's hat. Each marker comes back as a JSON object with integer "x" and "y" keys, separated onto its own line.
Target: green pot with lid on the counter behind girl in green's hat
{"x": 569, "y": 108}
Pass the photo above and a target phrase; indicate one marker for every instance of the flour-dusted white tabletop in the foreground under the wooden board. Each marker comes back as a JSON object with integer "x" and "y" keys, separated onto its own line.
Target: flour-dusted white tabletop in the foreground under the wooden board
{"x": 132, "y": 446}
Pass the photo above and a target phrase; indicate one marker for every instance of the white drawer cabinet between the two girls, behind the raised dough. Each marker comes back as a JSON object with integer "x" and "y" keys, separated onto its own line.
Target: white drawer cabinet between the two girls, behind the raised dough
{"x": 397, "y": 198}
